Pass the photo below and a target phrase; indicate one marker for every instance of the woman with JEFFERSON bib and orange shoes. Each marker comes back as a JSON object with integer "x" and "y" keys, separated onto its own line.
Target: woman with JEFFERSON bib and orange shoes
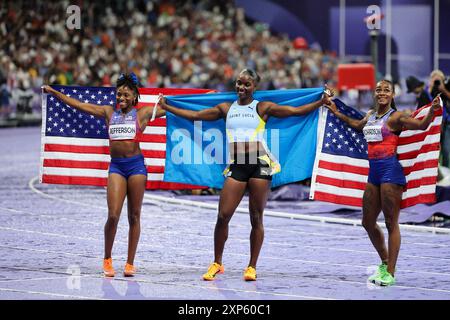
{"x": 127, "y": 172}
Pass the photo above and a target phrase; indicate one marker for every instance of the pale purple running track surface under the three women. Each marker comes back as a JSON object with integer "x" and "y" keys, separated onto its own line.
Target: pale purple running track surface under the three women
{"x": 51, "y": 247}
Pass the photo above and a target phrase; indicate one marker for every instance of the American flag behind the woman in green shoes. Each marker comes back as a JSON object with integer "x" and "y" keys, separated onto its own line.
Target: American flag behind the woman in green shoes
{"x": 341, "y": 166}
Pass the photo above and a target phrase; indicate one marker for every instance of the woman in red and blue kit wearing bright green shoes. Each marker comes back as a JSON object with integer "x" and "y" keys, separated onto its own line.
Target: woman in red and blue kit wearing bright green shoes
{"x": 386, "y": 179}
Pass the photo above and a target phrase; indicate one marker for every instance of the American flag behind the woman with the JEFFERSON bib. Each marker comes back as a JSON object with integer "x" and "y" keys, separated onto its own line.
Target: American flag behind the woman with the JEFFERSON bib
{"x": 75, "y": 145}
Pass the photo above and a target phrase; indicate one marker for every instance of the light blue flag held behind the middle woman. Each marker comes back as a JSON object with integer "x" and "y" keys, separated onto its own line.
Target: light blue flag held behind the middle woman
{"x": 197, "y": 152}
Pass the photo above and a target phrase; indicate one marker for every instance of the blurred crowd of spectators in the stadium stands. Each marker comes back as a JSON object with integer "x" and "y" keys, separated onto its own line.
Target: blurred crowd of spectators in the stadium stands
{"x": 194, "y": 43}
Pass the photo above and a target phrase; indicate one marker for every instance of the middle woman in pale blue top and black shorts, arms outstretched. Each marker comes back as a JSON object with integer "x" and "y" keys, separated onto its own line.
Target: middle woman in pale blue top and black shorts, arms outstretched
{"x": 251, "y": 166}
